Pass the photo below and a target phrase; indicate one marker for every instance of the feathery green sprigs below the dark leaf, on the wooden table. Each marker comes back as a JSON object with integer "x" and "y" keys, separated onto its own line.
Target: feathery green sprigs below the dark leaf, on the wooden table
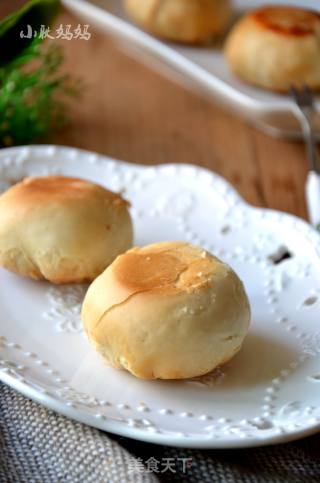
{"x": 33, "y": 95}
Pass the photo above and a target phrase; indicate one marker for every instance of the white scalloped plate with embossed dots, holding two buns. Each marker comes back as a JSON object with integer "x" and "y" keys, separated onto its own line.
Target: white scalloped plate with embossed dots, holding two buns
{"x": 270, "y": 391}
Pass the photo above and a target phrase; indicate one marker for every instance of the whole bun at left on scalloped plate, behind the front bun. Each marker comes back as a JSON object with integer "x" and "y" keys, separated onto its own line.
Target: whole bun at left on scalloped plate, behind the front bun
{"x": 62, "y": 229}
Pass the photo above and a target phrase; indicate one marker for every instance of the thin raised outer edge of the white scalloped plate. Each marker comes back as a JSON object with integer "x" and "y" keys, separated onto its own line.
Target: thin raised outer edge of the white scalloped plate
{"x": 143, "y": 435}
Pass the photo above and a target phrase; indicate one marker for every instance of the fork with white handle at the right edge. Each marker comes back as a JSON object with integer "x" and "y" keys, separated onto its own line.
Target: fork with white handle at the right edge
{"x": 305, "y": 110}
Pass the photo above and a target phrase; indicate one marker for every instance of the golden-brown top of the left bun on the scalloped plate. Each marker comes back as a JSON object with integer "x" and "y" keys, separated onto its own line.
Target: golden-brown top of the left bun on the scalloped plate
{"x": 34, "y": 190}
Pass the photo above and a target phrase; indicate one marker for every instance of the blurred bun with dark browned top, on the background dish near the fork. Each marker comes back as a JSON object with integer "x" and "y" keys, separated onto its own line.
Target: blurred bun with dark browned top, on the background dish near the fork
{"x": 276, "y": 46}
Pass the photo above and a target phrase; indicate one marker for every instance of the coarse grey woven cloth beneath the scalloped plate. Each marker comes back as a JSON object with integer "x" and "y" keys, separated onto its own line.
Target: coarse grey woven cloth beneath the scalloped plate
{"x": 37, "y": 445}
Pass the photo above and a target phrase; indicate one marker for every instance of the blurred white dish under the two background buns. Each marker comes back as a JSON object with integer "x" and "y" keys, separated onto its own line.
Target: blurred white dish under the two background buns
{"x": 202, "y": 67}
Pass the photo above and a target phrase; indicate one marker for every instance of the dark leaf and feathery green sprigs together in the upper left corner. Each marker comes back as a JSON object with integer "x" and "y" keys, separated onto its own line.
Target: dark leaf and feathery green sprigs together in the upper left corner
{"x": 33, "y": 92}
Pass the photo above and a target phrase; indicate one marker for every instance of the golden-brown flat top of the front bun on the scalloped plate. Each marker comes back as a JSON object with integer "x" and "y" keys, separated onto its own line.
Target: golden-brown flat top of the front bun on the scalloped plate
{"x": 169, "y": 267}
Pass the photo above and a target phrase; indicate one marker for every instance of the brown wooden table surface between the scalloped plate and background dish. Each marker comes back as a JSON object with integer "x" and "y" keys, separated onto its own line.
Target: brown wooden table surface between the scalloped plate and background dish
{"x": 132, "y": 113}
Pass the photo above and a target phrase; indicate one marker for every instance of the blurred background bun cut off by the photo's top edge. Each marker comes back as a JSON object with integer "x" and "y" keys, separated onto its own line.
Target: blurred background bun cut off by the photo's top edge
{"x": 190, "y": 21}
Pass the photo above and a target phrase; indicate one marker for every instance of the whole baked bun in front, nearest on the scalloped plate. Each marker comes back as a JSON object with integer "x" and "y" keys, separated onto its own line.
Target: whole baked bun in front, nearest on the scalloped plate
{"x": 169, "y": 311}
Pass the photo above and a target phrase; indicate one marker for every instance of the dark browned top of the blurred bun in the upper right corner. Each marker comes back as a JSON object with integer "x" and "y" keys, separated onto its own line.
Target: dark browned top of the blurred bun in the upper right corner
{"x": 286, "y": 20}
